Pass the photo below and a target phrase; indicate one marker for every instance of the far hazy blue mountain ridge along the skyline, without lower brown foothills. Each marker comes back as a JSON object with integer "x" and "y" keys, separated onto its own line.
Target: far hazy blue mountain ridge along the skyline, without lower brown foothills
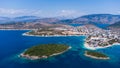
{"x": 93, "y": 18}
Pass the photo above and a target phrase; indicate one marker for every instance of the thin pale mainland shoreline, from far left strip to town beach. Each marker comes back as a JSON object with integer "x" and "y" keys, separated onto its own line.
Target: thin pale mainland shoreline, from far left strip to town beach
{"x": 87, "y": 46}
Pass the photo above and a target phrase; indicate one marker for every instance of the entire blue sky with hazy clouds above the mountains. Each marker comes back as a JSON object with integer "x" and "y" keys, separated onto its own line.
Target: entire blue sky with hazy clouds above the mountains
{"x": 51, "y": 8}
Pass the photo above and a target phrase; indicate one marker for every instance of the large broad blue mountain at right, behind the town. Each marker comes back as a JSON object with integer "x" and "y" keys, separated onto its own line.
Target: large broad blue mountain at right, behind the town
{"x": 97, "y": 18}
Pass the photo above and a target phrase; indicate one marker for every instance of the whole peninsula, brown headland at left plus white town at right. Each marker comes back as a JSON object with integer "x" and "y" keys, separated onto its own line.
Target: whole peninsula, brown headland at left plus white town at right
{"x": 95, "y": 37}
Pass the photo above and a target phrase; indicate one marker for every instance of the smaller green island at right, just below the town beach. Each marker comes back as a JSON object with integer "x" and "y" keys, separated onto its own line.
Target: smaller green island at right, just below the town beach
{"x": 96, "y": 55}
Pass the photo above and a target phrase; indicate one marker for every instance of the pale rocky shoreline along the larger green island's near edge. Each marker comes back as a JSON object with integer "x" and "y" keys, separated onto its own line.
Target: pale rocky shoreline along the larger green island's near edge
{"x": 37, "y": 57}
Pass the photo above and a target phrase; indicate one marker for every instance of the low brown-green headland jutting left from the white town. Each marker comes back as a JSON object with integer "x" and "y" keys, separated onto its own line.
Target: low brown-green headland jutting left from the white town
{"x": 57, "y": 31}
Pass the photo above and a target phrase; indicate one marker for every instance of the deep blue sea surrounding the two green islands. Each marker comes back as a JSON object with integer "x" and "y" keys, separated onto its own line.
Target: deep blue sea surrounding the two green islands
{"x": 12, "y": 43}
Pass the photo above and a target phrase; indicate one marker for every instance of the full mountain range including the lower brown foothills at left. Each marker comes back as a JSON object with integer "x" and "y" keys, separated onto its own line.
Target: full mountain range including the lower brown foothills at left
{"x": 33, "y": 22}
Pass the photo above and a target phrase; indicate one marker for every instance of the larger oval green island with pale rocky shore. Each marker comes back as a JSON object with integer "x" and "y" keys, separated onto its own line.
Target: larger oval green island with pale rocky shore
{"x": 44, "y": 51}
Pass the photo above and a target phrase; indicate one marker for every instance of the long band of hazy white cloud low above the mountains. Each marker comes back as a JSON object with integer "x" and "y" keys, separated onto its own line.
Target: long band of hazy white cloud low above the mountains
{"x": 38, "y": 12}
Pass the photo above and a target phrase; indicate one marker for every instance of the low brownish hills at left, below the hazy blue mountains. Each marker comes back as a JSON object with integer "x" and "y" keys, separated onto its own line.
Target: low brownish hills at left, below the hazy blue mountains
{"x": 31, "y": 25}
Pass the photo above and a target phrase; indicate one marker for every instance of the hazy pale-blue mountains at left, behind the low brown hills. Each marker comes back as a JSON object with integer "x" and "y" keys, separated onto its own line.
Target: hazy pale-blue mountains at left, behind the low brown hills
{"x": 29, "y": 19}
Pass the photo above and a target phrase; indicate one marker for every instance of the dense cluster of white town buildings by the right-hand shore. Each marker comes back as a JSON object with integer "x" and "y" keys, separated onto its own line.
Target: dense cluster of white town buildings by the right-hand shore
{"x": 97, "y": 37}
